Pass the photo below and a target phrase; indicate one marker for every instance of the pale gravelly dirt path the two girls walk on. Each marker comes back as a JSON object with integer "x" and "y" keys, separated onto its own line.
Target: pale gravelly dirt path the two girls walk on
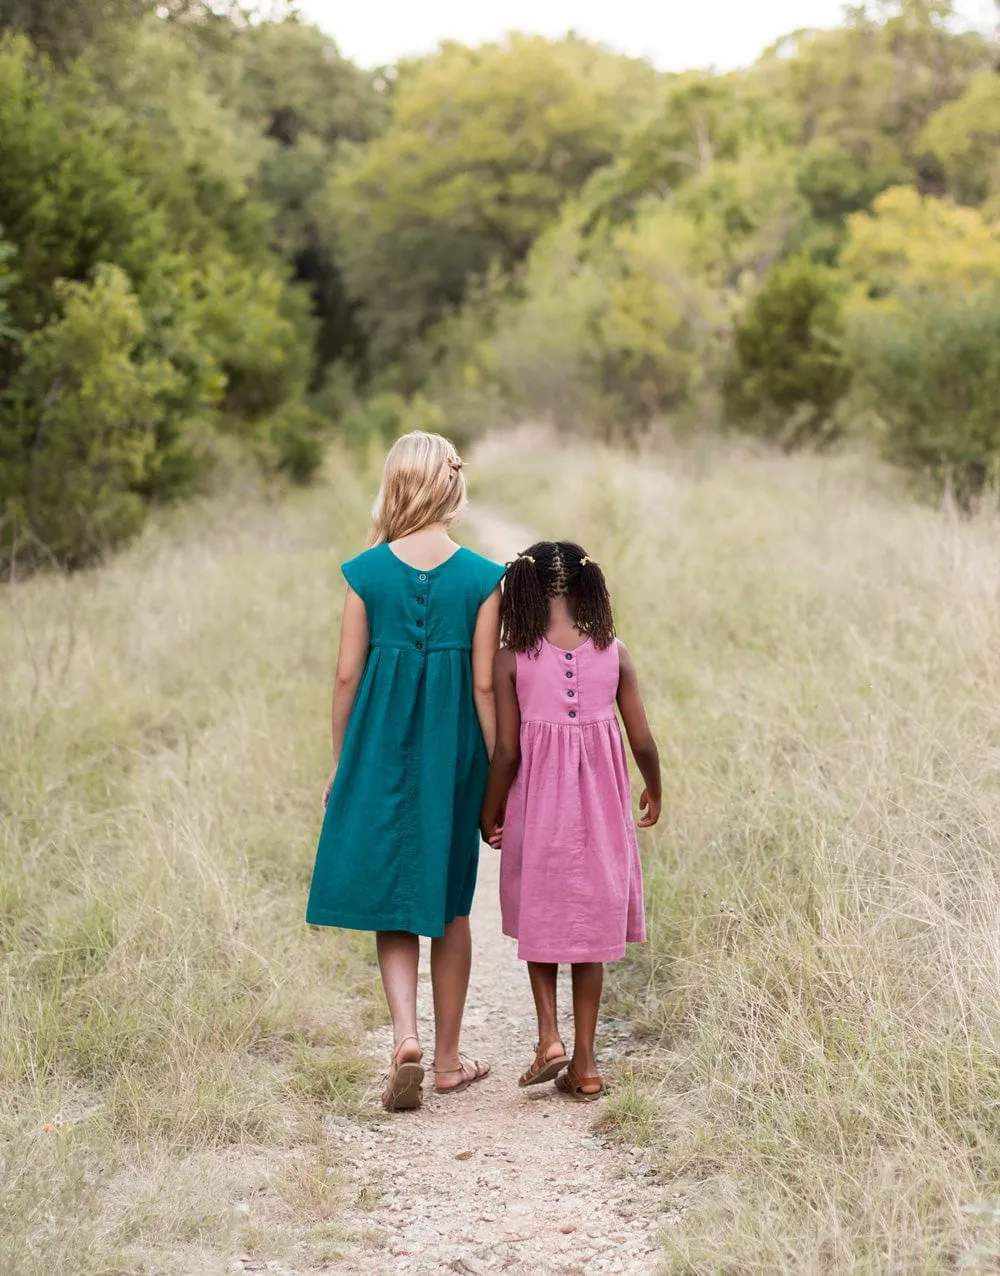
{"x": 498, "y": 1180}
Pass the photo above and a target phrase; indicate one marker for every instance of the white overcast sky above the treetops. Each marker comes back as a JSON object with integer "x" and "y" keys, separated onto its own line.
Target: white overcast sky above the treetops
{"x": 675, "y": 35}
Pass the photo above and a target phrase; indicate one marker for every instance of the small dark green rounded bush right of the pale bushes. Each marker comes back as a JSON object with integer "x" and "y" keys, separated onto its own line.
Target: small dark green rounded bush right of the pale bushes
{"x": 789, "y": 369}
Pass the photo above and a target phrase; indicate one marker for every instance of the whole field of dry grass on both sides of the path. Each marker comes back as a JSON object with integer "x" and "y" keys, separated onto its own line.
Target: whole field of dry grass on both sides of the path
{"x": 820, "y": 997}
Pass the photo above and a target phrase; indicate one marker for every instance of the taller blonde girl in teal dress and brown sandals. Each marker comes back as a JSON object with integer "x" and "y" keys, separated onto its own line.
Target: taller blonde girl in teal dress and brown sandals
{"x": 414, "y": 728}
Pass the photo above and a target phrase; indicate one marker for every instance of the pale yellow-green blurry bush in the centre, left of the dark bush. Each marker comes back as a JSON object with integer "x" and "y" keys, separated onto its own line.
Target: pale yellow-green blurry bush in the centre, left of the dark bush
{"x": 612, "y": 330}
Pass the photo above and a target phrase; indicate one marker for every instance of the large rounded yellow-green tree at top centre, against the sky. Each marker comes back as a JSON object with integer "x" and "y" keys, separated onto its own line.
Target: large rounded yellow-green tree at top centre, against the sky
{"x": 484, "y": 147}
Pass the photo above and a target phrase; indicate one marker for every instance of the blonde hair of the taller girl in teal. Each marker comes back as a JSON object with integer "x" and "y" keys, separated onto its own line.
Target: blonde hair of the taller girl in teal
{"x": 422, "y": 484}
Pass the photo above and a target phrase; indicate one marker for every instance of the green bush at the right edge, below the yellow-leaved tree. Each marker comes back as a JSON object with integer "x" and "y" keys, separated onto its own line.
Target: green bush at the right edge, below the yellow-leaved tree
{"x": 930, "y": 375}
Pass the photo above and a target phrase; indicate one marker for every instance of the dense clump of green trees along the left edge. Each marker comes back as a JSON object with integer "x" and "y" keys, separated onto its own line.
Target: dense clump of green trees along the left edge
{"x": 146, "y": 278}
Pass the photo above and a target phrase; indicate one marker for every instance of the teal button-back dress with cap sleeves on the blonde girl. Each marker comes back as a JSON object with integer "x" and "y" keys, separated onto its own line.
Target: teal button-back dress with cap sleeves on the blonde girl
{"x": 400, "y": 847}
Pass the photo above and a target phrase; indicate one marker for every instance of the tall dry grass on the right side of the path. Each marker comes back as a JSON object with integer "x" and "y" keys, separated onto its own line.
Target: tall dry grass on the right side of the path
{"x": 822, "y": 987}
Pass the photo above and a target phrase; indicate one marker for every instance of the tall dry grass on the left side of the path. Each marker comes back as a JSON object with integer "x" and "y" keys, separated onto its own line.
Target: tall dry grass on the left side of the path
{"x": 173, "y": 1037}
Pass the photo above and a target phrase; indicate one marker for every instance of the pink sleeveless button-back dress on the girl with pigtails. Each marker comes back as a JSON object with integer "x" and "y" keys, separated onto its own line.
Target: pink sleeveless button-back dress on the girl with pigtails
{"x": 571, "y": 881}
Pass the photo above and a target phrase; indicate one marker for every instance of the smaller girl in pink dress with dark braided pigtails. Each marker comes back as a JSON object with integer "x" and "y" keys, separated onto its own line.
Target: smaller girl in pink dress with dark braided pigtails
{"x": 558, "y": 801}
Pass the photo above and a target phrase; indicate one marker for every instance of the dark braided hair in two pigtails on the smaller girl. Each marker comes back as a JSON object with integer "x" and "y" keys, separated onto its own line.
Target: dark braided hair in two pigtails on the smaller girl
{"x": 553, "y": 570}
